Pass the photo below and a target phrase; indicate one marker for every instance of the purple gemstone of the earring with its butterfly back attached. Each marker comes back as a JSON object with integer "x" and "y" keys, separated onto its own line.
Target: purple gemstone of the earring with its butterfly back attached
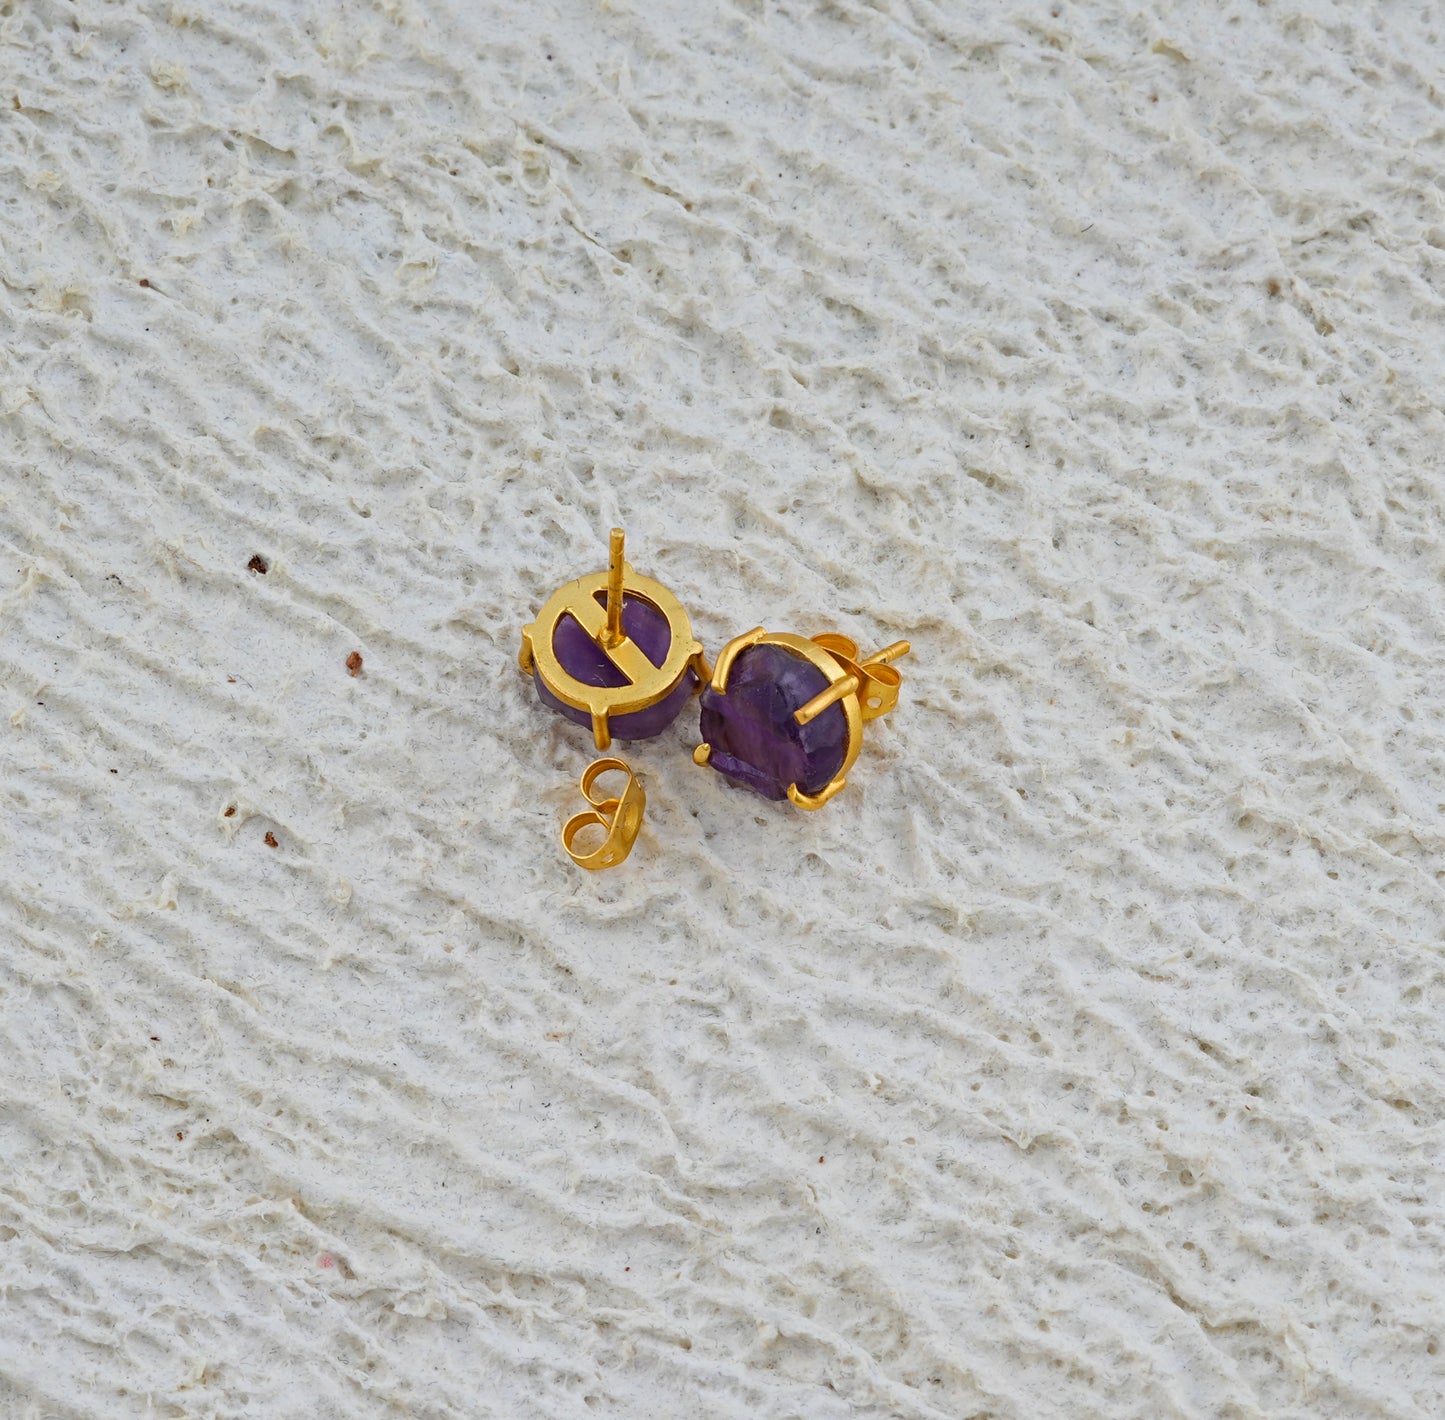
{"x": 752, "y": 730}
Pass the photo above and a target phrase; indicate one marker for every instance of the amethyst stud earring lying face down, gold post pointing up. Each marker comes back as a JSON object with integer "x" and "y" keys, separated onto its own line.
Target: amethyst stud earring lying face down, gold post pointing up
{"x": 615, "y": 652}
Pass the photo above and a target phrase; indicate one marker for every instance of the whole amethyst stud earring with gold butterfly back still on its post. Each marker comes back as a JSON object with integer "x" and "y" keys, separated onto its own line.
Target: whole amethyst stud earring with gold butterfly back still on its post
{"x": 784, "y": 716}
